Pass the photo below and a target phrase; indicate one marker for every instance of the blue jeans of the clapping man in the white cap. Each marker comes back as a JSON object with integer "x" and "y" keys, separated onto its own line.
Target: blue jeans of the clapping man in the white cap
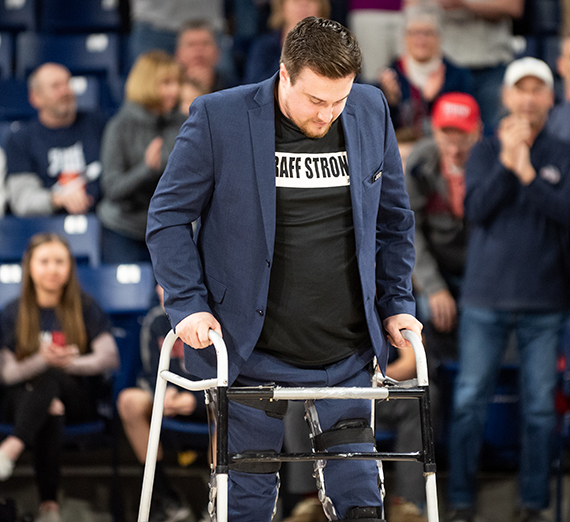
{"x": 483, "y": 336}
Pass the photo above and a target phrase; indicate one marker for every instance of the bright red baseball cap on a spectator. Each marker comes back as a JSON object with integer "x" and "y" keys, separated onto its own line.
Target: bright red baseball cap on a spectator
{"x": 457, "y": 110}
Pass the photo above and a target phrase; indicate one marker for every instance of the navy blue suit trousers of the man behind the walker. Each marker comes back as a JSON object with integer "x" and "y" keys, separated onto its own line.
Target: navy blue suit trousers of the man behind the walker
{"x": 348, "y": 483}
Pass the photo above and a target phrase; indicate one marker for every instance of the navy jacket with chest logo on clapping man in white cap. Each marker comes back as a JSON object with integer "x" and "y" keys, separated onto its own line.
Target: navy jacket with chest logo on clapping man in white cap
{"x": 519, "y": 247}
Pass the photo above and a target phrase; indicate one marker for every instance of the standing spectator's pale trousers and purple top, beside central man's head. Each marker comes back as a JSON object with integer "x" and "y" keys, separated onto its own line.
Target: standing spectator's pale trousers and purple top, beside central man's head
{"x": 377, "y": 24}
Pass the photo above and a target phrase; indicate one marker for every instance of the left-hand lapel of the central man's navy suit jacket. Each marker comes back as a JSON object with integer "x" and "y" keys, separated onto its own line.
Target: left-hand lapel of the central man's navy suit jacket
{"x": 262, "y": 128}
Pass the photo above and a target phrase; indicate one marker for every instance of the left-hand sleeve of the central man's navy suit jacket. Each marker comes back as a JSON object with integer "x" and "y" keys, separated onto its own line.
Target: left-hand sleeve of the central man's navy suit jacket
{"x": 182, "y": 194}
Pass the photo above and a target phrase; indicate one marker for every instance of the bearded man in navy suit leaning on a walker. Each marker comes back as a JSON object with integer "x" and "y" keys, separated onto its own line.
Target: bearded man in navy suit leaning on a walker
{"x": 303, "y": 259}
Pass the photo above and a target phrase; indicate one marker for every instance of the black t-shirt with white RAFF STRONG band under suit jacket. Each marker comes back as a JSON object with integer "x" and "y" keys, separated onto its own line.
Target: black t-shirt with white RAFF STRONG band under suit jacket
{"x": 315, "y": 311}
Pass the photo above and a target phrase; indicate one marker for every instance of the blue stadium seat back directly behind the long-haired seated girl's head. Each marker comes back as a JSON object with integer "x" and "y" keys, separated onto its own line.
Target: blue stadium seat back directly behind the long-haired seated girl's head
{"x": 82, "y": 232}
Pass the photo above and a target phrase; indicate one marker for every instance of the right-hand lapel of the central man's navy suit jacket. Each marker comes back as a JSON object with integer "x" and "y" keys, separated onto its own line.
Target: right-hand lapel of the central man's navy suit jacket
{"x": 352, "y": 138}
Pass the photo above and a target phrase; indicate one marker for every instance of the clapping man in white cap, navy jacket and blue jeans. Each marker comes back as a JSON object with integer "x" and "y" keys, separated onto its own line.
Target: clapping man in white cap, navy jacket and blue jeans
{"x": 517, "y": 280}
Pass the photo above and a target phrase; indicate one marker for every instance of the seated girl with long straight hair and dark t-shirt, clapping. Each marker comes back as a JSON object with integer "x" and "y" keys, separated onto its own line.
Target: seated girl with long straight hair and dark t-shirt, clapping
{"x": 55, "y": 346}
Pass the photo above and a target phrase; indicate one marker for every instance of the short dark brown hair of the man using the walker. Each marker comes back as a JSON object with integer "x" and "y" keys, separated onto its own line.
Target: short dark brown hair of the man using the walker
{"x": 324, "y": 46}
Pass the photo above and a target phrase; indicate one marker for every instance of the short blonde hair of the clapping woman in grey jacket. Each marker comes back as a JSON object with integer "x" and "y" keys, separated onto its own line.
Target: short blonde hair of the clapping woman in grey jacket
{"x": 145, "y": 75}
